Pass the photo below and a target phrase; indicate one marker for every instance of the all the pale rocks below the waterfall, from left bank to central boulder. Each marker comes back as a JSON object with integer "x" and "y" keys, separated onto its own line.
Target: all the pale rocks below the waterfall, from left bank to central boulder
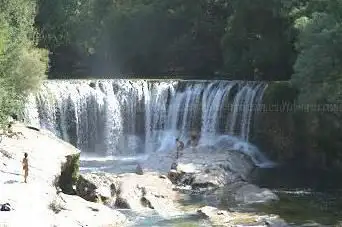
{"x": 99, "y": 196}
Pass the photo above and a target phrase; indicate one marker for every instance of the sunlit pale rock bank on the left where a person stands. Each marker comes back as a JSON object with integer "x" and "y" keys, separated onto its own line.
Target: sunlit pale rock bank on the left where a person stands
{"x": 40, "y": 202}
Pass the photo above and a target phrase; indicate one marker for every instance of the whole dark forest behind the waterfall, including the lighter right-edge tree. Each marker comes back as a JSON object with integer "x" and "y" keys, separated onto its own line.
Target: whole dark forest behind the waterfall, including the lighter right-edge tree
{"x": 231, "y": 39}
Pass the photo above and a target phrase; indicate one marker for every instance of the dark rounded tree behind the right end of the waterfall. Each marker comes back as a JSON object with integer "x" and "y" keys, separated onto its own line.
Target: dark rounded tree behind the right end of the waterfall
{"x": 257, "y": 43}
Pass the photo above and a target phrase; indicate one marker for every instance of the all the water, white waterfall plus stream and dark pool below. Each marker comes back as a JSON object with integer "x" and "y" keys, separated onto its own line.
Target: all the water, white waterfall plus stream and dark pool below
{"x": 120, "y": 123}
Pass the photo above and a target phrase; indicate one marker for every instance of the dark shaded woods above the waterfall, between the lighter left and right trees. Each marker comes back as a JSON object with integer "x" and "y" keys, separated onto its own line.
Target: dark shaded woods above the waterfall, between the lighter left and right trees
{"x": 247, "y": 40}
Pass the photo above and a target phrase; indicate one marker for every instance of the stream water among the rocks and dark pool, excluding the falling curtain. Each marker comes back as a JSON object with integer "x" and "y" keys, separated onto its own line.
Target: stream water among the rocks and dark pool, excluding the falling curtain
{"x": 306, "y": 198}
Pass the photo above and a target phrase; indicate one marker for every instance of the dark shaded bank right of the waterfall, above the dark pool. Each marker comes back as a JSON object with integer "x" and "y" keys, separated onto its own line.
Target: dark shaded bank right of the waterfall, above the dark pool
{"x": 303, "y": 135}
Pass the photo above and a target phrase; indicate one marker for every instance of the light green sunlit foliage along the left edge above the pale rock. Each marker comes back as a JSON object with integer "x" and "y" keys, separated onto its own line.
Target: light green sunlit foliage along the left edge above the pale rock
{"x": 22, "y": 66}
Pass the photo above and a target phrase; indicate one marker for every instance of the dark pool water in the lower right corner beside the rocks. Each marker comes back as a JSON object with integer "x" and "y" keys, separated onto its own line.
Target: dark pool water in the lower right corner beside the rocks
{"x": 306, "y": 195}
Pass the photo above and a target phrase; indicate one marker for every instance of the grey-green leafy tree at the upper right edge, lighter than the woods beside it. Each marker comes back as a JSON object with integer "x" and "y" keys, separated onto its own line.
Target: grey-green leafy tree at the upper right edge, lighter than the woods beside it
{"x": 318, "y": 67}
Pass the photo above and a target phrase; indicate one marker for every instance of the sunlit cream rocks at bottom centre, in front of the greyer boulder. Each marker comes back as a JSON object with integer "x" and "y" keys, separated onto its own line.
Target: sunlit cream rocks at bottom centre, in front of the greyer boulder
{"x": 154, "y": 194}
